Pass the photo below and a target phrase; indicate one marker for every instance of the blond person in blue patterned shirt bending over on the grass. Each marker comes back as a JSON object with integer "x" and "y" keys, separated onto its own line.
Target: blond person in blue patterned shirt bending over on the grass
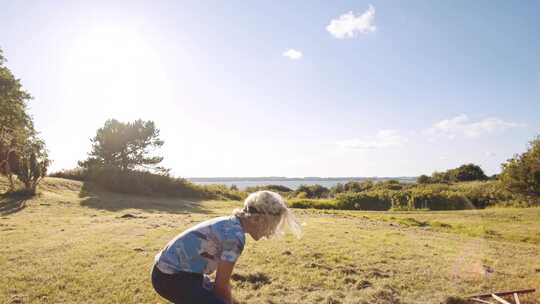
{"x": 180, "y": 269}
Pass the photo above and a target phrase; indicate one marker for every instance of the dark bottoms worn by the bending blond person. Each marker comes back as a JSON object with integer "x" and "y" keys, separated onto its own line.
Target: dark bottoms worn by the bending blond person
{"x": 183, "y": 288}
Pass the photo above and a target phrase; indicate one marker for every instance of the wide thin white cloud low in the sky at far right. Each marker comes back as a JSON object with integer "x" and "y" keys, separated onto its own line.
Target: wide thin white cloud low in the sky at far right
{"x": 462, "y": 125}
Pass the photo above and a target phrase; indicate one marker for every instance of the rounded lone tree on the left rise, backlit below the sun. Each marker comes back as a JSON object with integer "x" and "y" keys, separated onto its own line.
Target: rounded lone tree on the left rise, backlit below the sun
{"x": 125, "y": 146}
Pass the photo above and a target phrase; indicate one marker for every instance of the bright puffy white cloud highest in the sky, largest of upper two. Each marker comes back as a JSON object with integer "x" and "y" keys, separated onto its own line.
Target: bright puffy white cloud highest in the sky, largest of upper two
{"x": 348, "y": 25}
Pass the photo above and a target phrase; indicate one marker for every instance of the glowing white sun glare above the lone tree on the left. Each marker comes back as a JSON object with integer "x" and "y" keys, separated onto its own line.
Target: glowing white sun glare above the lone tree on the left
{"x": 114, "y": 73}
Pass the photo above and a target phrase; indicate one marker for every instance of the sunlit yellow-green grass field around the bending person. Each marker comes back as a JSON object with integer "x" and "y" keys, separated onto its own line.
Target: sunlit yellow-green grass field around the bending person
{"x": 76, "y": 244}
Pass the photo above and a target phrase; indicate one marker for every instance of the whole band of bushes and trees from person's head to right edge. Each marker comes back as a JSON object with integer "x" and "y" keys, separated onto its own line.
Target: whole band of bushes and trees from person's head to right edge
{"x": 464, "y": 187}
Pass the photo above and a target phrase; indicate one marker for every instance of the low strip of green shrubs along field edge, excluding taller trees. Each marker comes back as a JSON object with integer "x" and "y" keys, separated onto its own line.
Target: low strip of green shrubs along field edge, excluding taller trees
{"x": 399, "y": 196}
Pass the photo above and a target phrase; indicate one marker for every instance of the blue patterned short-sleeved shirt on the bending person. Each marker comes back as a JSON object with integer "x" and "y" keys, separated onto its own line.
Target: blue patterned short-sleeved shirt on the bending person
{"x": 200, "y": 248}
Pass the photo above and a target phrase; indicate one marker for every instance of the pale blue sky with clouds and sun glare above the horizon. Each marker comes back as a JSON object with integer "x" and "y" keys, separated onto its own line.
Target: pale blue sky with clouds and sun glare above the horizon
{"x": 395, "y": 88}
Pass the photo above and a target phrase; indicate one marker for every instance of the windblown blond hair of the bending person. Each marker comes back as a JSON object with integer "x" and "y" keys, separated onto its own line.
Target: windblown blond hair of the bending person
{"x": 271, "y": 205}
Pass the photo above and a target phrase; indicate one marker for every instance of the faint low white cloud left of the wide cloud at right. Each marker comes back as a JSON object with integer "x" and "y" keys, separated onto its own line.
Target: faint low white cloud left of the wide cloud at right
{"x": 383, "y": 139}
